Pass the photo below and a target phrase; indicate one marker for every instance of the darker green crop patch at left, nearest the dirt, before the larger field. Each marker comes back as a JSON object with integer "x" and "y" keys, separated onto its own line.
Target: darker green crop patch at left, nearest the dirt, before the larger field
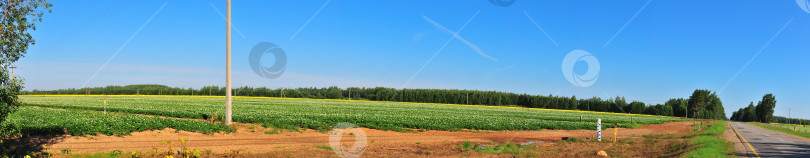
{"x": 36, "y": 121}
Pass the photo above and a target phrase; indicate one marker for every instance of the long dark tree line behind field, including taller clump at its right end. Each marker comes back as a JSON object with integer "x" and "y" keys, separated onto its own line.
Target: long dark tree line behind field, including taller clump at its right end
{"x": 702, "y": 103}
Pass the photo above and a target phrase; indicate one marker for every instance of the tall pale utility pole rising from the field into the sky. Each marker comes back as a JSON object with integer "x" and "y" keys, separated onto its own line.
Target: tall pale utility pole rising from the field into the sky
{"x": 228, "y": 101}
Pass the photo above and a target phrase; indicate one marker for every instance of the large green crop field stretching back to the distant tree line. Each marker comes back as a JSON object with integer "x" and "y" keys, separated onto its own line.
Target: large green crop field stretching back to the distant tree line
{"x": 323, "y": 114}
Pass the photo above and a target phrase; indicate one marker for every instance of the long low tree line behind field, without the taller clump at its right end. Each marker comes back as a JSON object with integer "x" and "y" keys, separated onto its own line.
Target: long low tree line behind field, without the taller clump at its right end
{"x": 449, "y": 96}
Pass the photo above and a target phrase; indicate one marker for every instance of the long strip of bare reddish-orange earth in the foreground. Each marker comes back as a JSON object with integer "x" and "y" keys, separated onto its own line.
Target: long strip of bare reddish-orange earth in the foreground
{"x": 380, "y": 143}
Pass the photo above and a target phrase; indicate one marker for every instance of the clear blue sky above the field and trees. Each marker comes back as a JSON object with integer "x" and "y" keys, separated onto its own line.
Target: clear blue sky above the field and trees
{"x": 648, "y": 51}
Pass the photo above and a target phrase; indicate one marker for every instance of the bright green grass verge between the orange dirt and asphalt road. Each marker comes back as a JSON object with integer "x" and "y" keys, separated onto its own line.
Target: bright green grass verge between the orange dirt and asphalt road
{"x": 707, "y": 144}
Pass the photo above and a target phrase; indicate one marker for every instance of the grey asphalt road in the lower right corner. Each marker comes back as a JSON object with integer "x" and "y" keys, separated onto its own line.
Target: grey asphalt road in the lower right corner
{"x": 767, "y": 143}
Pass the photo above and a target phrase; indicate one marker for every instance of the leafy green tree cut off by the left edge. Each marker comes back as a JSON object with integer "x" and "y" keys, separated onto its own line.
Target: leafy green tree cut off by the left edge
{"x": 18, "y": 18}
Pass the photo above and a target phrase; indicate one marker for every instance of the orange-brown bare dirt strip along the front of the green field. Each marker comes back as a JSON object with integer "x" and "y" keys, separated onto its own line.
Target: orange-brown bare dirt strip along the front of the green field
{"x": 251, "y": 139}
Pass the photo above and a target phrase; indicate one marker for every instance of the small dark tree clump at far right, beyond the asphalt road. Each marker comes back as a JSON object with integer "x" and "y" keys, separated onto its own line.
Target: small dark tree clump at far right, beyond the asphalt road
{"x": 762, "y": 112}
